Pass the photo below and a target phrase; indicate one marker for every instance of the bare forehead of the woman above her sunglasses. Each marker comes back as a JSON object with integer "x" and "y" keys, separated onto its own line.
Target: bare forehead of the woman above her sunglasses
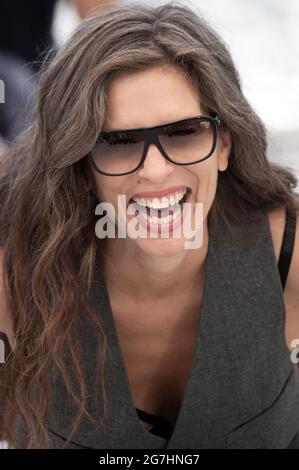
{"x": 151, "y": 97}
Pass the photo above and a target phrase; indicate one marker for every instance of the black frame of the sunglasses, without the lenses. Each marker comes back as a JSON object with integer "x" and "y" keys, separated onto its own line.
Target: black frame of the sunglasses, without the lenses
{"x": 150, "y": 136}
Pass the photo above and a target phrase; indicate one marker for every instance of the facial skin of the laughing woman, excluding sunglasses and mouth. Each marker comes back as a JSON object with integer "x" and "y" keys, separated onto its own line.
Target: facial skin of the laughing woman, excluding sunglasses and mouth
{"x": 147, "y": 268}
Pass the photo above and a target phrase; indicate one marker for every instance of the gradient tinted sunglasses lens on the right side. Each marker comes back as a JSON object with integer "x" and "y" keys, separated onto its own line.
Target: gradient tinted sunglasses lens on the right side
{"x": 188, "y": 141}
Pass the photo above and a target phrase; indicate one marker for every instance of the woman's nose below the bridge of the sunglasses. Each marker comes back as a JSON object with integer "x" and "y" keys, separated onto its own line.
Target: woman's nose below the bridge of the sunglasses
{"x": 155, "y": 165}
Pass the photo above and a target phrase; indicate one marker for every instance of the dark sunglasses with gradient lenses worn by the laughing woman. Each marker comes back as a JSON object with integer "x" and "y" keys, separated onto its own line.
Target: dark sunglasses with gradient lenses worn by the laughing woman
{"x": 183, "y": 142}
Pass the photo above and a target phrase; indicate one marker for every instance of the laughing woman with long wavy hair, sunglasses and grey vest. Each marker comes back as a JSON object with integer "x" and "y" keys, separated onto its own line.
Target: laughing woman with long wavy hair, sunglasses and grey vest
{"x": 184, "y": 348}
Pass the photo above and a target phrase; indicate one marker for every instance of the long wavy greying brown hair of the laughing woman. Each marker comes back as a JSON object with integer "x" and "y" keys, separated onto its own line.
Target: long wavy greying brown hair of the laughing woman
{"x": 48, "y": 193}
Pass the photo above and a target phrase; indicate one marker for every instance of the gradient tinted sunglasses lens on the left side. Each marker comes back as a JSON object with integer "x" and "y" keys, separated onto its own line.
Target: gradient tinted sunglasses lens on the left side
{"x": 117, "y": 153}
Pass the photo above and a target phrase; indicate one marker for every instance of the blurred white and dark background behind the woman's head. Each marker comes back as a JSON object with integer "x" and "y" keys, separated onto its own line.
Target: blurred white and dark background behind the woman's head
{"x": 263, "y": 37}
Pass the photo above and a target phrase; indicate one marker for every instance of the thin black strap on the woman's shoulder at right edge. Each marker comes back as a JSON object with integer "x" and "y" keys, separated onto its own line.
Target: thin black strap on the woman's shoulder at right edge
{"x": 287, "y": 246}
